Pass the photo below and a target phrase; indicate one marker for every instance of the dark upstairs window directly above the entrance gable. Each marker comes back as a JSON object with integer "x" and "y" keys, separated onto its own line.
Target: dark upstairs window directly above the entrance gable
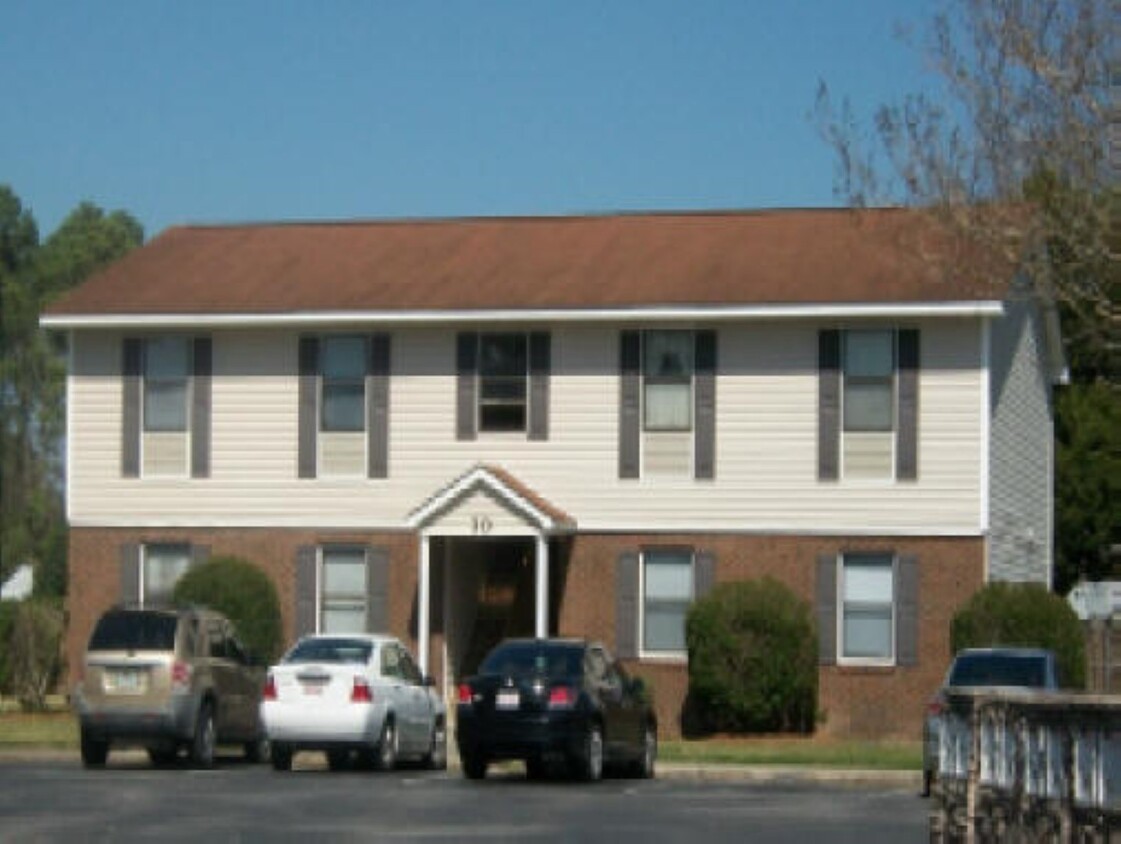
{"x": 504, "y": 378}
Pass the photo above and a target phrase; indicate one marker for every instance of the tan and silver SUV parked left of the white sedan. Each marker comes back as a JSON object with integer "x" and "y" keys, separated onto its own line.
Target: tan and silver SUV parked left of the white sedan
{"x": 168, "y": 681}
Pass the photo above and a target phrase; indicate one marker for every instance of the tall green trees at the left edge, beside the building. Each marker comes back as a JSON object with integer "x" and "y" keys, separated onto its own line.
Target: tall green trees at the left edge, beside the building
{"x": 33, "y": 375}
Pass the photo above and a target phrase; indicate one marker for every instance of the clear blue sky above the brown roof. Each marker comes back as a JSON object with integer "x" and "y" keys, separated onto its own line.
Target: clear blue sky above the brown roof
{"x": 251, "y": 110}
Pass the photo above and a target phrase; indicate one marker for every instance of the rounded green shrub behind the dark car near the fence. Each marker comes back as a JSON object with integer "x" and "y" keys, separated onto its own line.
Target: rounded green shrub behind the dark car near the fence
{"x": 1023, "y": 615}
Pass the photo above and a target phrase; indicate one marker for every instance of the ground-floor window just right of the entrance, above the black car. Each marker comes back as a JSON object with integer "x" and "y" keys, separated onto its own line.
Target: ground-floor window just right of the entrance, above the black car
{"x": 668, "y": 592}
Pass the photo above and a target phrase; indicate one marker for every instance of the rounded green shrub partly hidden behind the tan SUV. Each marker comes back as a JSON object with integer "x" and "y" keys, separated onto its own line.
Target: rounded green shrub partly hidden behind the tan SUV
{"x": 244, "y": 593}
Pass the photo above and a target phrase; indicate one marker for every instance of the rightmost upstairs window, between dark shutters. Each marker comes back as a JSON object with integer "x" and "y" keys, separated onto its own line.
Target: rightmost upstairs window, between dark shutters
{"x": 869, "y": 398}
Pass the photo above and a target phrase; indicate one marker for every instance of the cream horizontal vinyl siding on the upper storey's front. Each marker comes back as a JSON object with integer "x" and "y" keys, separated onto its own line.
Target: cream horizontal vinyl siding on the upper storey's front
{"x": 766, "y": 448}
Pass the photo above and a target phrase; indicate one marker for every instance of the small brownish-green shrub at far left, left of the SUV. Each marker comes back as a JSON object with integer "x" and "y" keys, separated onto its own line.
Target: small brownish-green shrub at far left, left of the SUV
{"x": 34, "y": 643}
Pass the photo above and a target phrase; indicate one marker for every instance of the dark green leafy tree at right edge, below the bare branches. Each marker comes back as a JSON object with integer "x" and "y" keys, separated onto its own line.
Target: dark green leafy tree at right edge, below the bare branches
{"x": 1089, "y": 483}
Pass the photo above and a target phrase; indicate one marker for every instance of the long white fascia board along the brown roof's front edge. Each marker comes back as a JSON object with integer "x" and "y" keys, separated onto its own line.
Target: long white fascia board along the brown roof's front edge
{"x": 716, "y": 313}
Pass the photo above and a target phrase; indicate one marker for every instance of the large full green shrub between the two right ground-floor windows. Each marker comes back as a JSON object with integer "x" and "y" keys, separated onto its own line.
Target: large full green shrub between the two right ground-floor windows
{"x": 753, "y": 660}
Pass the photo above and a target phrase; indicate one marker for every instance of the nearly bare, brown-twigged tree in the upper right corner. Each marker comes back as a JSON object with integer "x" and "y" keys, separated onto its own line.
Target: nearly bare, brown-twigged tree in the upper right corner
{"x": 1009, "y": 149}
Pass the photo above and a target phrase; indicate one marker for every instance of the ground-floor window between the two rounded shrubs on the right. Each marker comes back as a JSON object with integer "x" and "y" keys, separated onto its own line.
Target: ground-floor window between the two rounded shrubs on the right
{"x": 867, "y": 618}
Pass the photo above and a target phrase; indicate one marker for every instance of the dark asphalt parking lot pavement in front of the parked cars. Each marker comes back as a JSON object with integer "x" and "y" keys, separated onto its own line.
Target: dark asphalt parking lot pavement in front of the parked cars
{"x": 51, "y": 797}
